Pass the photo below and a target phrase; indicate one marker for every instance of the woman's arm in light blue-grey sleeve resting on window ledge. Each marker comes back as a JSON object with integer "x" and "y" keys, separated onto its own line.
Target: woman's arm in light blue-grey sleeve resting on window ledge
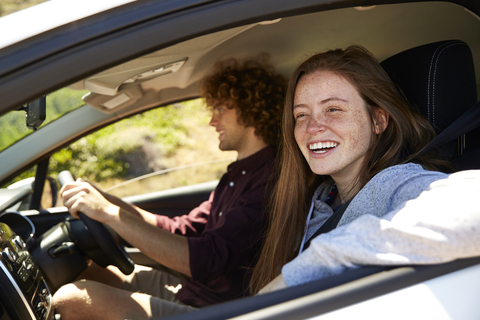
{"x": 441, "y": 225}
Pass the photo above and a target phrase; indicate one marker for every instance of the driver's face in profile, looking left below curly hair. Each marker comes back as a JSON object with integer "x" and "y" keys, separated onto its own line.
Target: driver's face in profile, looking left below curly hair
{"x": 232, "y": 134}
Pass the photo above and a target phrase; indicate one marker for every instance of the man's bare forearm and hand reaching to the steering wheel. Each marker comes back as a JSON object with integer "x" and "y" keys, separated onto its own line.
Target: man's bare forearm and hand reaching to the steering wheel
{"x": 168, "y": 249}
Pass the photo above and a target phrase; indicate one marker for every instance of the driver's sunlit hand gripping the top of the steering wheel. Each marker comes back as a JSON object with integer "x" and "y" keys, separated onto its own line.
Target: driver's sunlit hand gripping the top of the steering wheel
{"x": 80, "y": 196}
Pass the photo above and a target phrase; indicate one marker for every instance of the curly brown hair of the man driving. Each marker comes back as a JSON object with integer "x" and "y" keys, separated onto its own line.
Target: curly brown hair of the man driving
{"x": 254, "y": 89}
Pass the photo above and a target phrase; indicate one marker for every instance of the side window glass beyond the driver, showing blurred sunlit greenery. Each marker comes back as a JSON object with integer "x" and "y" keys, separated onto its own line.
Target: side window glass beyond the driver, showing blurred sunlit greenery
{"x": 160, "y": 149}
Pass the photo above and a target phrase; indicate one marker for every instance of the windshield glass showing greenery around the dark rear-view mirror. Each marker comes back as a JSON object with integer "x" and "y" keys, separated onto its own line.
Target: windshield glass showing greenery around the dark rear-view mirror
{"x": 58, "y": 104}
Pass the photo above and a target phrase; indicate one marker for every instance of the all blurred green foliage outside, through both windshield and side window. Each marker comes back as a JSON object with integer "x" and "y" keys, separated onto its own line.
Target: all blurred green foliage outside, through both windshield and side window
{"x": 101, "y": 155}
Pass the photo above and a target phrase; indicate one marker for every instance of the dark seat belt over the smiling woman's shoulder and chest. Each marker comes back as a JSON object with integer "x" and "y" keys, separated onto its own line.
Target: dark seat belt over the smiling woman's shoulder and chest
{"x": 464, "y": 124}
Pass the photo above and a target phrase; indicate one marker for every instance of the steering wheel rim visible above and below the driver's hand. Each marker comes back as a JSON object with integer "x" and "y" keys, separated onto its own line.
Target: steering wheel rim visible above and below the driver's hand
{"x": 116, "y": 254}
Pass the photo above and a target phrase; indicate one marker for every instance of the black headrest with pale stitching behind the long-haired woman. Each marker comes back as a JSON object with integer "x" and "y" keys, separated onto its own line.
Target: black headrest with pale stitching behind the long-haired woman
{"x": 437, "y": 78}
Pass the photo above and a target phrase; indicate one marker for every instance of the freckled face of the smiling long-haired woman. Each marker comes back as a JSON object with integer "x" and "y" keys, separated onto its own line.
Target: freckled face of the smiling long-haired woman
{"x": 332, "y": 127}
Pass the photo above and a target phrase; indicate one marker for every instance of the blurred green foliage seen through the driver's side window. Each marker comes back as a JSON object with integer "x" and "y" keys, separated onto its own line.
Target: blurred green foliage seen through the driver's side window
{"x": 101, "y": 155}
